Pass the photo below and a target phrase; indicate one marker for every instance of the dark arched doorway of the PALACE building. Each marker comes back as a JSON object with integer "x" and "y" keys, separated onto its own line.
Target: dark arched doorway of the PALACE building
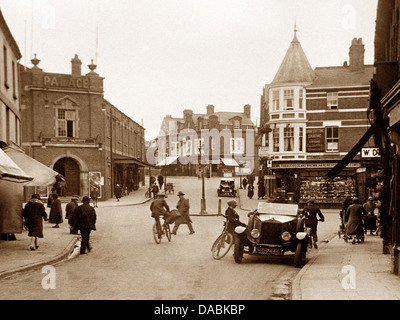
{"x": 70, "y": 170}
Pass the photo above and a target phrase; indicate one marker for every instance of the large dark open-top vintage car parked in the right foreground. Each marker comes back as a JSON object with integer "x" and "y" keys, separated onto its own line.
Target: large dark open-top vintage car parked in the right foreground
{"x": 274, "y": 228}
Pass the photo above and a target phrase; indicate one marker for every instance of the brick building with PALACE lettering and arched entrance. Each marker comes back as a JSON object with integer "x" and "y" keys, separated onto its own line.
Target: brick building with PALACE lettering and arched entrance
{"x": 70, "y": 127}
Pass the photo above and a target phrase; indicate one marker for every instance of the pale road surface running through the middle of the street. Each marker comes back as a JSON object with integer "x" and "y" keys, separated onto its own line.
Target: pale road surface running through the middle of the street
{"x": 125, "y": 263}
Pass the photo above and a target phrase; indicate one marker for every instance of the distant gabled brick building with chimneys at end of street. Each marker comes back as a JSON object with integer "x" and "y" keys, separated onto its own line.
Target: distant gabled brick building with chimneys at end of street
{"x": 220, "y": 143}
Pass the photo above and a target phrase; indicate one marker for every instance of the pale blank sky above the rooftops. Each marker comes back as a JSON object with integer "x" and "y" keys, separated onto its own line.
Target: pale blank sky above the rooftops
{"x": 160, "y": 57}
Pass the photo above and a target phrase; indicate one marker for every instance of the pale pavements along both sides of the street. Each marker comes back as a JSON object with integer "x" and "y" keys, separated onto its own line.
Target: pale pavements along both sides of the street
{"x": 336, "y": 271}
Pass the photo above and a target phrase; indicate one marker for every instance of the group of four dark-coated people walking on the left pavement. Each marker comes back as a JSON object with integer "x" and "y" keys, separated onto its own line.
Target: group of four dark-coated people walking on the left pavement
{"x": 80, "y": 218}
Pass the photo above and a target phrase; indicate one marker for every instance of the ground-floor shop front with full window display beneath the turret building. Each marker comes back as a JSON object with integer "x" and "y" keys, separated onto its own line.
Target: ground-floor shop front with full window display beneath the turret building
{"x": 308, "y": 180}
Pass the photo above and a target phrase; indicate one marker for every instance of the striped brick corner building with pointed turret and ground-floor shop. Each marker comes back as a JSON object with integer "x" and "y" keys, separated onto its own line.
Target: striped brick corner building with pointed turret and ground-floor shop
{"x": 310, "y": 119}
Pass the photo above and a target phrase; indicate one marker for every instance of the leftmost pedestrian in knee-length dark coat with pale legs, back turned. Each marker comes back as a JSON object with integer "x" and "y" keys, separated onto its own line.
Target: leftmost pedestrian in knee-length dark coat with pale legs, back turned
{"x": 34, "y": 213}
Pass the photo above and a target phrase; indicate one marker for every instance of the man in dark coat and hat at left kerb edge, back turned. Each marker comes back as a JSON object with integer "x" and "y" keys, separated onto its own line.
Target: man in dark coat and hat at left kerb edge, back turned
{"x": 85, "y": 222}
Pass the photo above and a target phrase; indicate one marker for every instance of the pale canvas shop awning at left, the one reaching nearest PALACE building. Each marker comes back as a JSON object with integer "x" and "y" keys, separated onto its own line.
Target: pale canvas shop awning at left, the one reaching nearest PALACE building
{"x": 42, "y": 175}
